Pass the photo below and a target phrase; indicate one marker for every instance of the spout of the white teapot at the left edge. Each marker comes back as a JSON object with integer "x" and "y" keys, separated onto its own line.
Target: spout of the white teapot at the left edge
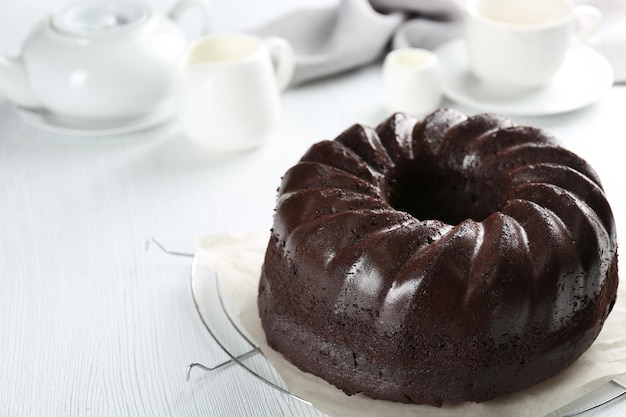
{"x": 14, "y": 83}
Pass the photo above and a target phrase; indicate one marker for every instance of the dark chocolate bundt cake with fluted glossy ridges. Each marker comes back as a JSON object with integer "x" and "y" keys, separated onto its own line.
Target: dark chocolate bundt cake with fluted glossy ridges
{"x": 449, "y": 259}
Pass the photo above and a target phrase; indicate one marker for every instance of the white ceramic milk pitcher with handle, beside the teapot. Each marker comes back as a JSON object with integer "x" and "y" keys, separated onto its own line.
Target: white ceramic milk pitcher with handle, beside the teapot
{"x": 229, "y": 90}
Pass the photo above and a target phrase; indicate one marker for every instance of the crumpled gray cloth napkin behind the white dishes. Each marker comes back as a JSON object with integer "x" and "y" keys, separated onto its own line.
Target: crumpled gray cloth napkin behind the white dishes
{"x": 354, "y": 33}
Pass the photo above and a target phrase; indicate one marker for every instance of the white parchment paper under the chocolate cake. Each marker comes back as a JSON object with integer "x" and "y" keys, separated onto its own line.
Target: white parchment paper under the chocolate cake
{"x": 237, "y": 260}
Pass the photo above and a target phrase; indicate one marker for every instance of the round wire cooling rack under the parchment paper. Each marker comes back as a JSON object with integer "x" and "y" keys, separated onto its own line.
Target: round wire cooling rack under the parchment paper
{"x": 609, "y": 393}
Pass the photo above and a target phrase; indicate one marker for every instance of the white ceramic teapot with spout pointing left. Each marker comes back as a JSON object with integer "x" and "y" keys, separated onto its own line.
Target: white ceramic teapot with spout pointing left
{"x": 99, "y": 61}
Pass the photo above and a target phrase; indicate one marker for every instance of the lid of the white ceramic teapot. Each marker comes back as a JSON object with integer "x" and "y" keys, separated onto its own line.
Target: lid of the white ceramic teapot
{"x": 93, "y": 18}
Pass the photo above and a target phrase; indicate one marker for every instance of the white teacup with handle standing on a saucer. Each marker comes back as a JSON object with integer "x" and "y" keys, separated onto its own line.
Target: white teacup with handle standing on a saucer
{"x": 523, "y": 43}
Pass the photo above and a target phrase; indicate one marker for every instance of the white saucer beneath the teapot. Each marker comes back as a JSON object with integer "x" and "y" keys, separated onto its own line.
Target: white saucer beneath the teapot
{"x": 53, "y": 123}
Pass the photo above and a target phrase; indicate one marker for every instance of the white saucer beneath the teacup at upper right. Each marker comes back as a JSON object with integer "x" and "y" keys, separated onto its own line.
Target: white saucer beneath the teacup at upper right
{"x": 584, "y": 78}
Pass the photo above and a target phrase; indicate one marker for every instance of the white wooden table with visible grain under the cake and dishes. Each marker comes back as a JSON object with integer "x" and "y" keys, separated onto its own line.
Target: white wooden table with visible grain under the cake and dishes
{"x": 92, "y": 323}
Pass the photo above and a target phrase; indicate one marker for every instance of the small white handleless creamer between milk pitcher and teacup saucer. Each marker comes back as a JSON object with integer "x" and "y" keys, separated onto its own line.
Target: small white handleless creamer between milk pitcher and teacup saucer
{"x": 411, "y": 81}
